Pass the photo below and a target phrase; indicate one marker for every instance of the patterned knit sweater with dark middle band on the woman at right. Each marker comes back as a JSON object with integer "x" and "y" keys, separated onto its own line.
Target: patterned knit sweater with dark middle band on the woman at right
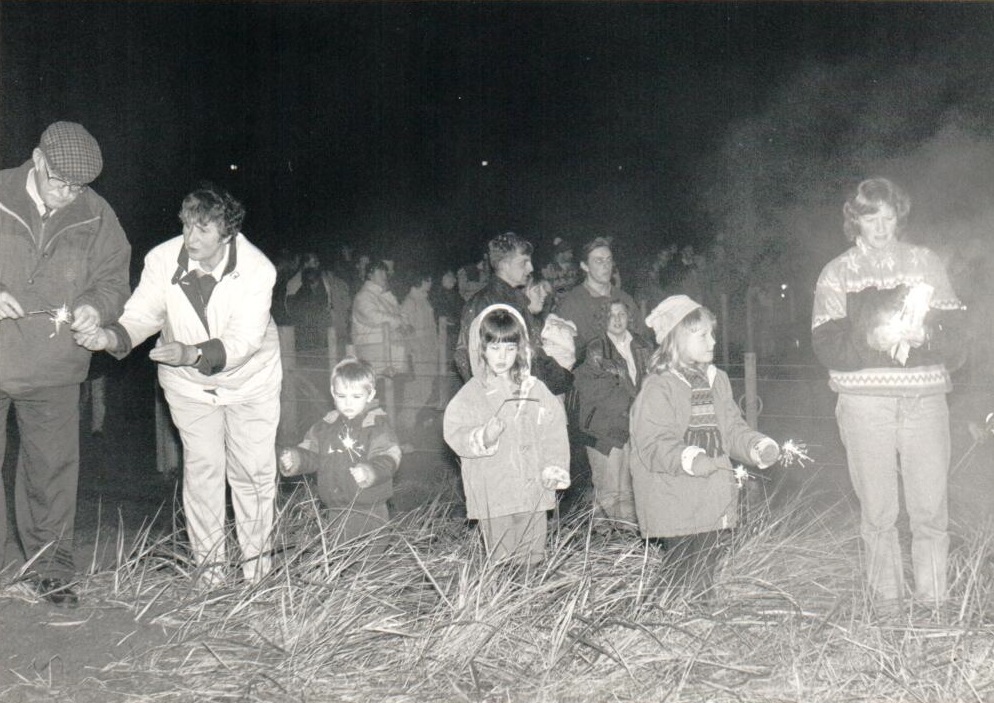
{"x": 863, "y": 287}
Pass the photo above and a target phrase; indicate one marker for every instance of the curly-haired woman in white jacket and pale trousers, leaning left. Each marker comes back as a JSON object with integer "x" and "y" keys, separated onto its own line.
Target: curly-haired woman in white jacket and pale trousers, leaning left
{"x": 208, "y": 293}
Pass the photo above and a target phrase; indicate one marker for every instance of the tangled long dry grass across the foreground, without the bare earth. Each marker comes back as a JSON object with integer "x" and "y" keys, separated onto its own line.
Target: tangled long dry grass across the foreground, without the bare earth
{"x": 430, "y": 618}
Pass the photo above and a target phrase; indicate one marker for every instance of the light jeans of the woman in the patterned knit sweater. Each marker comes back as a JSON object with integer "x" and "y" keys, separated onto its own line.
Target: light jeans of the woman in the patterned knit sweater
{"x": 876, "y": 432}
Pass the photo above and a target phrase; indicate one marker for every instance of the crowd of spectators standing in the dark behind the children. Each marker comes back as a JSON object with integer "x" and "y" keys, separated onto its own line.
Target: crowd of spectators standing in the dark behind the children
{"x": 563, "y": 291}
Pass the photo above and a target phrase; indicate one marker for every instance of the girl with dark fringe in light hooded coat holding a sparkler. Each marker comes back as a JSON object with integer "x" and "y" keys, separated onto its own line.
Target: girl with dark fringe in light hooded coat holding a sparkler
{"x": 510, "y": 433}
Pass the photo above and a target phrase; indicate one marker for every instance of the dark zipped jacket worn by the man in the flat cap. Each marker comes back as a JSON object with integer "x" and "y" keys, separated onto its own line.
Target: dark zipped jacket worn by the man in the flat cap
{"x": 79, "y": 256}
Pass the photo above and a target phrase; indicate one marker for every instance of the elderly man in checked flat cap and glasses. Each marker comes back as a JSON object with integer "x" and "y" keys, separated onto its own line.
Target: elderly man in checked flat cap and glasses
{"x": 63, "y": 267}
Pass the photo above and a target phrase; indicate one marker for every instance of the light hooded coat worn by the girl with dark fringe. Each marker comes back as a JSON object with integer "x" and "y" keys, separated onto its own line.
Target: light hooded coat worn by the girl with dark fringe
{"x": 506, "y": 478}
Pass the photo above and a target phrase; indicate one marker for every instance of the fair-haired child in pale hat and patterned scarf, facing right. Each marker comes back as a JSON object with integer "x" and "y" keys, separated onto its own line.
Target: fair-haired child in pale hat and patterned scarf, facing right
{"x": 685, "y": 429}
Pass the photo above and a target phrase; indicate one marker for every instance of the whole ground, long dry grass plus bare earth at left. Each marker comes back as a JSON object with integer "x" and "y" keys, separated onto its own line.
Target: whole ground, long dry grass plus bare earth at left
{"x": 605, "y": 618}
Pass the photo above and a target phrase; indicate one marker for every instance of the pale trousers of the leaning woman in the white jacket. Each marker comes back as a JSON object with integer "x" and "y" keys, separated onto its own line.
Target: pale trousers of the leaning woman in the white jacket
{"x": 233, "y": 444}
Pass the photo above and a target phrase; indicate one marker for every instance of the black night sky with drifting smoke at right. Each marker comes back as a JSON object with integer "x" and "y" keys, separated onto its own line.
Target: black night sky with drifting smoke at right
{"x": 428, "y": 128}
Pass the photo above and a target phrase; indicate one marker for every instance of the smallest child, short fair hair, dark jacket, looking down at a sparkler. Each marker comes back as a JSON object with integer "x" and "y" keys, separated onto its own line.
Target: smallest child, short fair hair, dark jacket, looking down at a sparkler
{"x": 354, "y": 452}
